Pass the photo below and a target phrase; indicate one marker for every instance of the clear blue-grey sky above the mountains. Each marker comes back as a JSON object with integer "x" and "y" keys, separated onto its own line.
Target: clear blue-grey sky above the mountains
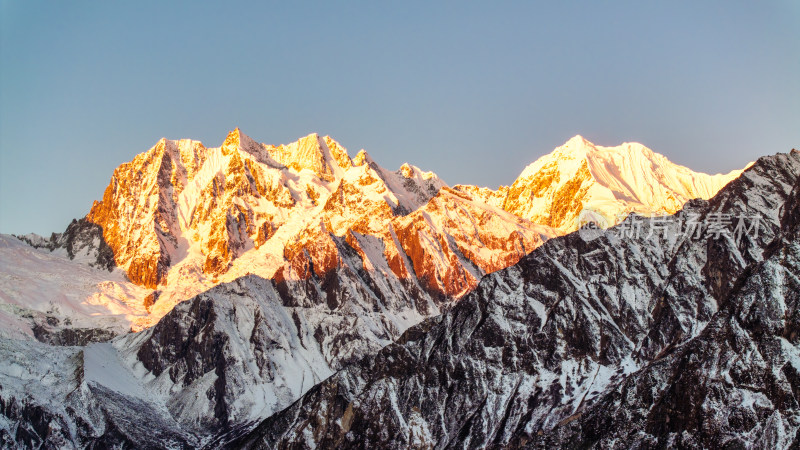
{"x": 471, "y": 91}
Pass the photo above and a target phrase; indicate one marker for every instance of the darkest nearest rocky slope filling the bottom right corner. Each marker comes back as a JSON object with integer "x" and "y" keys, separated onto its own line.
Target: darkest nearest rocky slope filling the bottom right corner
{"x": 736, "y": 385}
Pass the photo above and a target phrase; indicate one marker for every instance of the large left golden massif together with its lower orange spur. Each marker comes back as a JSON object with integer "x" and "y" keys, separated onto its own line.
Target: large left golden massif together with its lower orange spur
{"x": 181, "y": 218}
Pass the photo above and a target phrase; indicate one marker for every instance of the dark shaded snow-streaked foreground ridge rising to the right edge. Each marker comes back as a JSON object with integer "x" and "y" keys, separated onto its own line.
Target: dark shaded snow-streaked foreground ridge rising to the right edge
{"x": 613, "y": 339}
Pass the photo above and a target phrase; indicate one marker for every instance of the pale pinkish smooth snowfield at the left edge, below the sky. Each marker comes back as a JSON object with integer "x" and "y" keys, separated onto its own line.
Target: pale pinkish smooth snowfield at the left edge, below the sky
{"x": 46, "y": 296}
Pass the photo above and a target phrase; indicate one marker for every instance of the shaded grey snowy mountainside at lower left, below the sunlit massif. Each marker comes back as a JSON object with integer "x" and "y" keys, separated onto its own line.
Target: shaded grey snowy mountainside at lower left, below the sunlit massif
{"x": 219, "y": 361}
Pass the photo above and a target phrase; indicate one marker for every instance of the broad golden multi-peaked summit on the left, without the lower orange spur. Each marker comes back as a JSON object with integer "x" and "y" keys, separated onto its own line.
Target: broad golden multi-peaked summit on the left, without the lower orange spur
{"x": 181, "y": 217}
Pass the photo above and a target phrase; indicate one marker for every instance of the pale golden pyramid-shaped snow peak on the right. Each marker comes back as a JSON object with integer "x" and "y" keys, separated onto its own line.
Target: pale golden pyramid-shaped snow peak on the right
{"x": 608, "y": 181}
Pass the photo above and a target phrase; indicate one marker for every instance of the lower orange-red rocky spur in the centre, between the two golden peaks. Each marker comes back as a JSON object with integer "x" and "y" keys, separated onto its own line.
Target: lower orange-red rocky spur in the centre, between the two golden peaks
{"x": 446, "y": 246}
